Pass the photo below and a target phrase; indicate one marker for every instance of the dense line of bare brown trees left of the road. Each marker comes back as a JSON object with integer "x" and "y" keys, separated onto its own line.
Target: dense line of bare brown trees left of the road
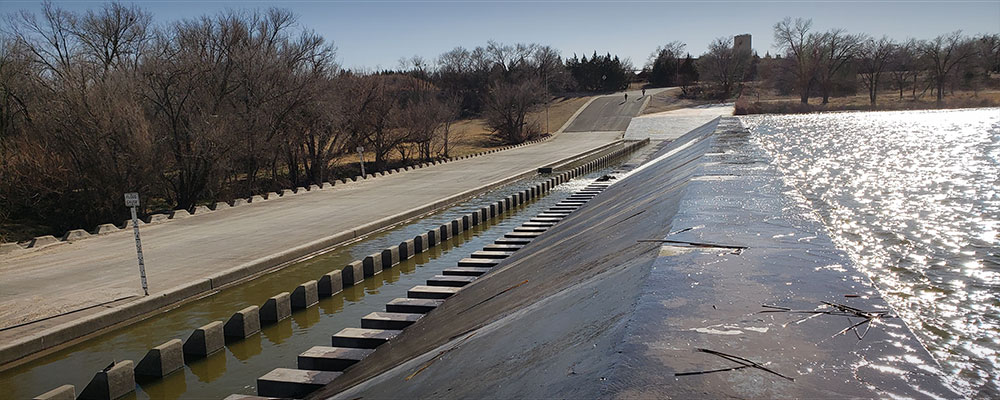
{"x": 98, "y": 103}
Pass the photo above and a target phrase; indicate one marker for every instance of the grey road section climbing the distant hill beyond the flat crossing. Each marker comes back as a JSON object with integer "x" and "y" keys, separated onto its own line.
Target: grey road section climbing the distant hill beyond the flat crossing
{"x": 611, "y": 112}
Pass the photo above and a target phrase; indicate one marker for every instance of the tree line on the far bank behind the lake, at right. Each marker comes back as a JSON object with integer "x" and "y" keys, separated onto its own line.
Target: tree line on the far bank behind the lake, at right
{"x": 810, "y": 64}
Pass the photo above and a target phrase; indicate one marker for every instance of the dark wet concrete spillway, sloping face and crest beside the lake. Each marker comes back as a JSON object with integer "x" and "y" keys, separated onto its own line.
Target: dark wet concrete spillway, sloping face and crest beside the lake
{"x": 697, "y": 275}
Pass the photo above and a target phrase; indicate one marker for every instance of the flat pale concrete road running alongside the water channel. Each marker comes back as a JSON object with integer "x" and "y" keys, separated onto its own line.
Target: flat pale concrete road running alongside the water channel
{"x": 72, "y": 276}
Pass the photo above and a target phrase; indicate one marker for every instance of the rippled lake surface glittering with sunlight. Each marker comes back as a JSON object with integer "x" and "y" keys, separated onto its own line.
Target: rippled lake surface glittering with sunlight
{"x": 914, "y": 198}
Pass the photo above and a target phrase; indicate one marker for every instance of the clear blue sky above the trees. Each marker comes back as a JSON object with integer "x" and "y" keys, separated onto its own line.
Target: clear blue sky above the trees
{"x": 372, "y": 34}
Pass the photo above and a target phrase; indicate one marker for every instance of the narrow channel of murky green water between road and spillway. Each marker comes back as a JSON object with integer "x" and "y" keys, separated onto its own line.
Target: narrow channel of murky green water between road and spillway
{"x": 274, "y": 309}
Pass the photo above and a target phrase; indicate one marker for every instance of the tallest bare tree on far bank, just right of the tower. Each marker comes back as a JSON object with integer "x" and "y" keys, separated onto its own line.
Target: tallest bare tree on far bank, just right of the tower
{"x": 796, "y": 41}
